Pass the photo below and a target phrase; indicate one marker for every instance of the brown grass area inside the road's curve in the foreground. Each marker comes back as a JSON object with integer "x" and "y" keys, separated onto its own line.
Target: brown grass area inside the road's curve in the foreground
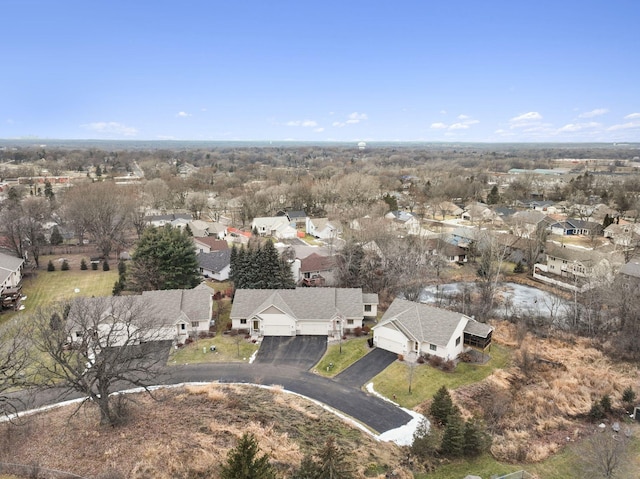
{"x": 187, "y": 433}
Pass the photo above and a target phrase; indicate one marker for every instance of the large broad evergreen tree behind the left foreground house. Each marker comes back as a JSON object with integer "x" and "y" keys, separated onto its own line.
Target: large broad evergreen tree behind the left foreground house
{"x": 164, "y": 258}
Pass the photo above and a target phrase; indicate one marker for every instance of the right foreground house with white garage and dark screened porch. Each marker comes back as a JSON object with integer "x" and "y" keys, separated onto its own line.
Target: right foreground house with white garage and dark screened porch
{"x": 416, "y": 329}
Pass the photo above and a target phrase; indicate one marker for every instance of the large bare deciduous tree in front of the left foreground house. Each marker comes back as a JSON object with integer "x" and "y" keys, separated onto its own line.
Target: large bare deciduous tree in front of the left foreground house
{"x": 101, "y": 345}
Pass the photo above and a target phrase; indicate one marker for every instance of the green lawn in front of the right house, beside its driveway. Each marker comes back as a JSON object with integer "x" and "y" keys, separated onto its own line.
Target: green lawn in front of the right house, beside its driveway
{"x": 426, "y": 380}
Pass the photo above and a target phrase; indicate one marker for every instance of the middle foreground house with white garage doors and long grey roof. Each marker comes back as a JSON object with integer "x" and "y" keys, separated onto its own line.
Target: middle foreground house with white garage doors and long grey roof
{"x": 301, "y": 311}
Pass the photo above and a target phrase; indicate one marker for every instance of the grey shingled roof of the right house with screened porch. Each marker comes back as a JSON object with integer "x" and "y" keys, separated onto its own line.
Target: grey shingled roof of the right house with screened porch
{"x": 425, "y": 323}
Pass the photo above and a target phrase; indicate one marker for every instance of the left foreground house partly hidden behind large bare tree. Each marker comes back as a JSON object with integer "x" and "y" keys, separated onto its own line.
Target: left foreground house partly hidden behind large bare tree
{"x": 157, "y": 316}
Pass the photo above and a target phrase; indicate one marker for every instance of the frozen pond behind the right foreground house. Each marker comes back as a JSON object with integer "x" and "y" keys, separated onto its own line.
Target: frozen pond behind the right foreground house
{"x": 510, "y": 299}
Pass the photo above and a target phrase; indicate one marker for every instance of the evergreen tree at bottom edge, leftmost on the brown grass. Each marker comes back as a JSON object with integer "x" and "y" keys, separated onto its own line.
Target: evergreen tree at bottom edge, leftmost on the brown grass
{"x": 243, "y": 461}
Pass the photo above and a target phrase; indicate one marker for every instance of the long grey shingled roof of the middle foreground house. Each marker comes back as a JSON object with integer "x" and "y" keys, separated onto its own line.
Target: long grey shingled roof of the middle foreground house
{"x": 300, "y": 303}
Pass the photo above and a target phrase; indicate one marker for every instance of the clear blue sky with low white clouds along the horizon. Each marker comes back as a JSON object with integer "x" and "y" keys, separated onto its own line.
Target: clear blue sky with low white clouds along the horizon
{"x": 468, "y": 70}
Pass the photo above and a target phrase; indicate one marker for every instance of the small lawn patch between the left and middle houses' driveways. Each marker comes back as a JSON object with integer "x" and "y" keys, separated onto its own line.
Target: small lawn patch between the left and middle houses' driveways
{"x": 227, "y": 348}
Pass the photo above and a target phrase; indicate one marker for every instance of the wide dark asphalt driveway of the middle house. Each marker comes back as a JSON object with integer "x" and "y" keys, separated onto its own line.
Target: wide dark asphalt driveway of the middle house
{"x": 300, "y": 351}
